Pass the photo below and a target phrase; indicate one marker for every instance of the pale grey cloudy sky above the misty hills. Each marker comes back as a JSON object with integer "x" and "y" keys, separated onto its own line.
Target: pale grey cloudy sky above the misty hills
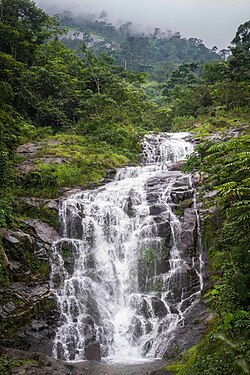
{"x": 214, "y": 21}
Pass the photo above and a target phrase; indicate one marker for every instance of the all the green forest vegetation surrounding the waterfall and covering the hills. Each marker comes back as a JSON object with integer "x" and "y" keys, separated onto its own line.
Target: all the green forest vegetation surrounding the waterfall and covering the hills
{"x": 90, "y": 109}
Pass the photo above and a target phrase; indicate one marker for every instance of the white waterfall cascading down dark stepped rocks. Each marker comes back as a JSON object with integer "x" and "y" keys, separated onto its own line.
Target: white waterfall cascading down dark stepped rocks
{"x": 122, "y": 275}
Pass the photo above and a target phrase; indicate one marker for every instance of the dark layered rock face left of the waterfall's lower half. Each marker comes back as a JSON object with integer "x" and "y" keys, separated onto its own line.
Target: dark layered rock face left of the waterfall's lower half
{"x": 27, "y": 305}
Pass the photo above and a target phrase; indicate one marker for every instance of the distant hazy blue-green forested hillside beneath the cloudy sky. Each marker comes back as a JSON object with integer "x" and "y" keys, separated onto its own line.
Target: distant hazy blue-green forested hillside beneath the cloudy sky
{"x": 157, "y": 53}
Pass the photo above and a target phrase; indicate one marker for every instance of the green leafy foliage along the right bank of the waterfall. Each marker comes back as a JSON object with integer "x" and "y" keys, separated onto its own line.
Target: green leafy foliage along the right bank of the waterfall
{"x": 225, "y": 167}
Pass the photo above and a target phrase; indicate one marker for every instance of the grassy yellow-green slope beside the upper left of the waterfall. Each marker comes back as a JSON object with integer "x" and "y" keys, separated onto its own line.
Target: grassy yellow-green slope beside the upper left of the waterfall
{"x": 82, "y": 163}
